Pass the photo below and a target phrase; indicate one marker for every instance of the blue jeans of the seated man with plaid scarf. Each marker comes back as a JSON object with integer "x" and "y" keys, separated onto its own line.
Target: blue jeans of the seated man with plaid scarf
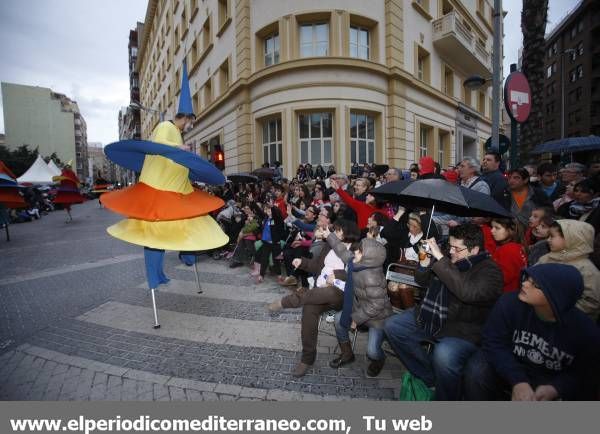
{"x": 443, "y": 368}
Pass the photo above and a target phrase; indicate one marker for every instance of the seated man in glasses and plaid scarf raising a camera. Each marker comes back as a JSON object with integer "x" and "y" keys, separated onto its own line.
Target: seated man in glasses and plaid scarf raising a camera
{"x": 461, "y": 289}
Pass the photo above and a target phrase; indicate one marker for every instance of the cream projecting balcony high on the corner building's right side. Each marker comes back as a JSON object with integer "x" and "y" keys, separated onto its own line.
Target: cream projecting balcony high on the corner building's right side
{"x": 459, "y": 46}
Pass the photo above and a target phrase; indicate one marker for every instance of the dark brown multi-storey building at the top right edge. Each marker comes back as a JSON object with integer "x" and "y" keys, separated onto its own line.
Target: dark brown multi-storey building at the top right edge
{"x": 573, "y": 66}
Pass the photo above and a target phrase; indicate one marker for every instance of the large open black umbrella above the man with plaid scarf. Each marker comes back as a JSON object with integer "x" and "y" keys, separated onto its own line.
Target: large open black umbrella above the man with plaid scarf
{"x": 443, "y": 196}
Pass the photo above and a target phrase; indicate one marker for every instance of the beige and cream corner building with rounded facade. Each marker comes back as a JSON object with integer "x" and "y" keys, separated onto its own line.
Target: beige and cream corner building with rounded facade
{"x": 322, "y": 81}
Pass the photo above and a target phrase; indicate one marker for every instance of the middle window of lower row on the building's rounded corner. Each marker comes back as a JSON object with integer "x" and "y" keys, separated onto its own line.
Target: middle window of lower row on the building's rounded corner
{"x": 316, "y": 138}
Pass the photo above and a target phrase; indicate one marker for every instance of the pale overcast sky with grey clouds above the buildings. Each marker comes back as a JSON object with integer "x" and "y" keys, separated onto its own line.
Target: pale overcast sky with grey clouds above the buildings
{"x": 79, "y": 48}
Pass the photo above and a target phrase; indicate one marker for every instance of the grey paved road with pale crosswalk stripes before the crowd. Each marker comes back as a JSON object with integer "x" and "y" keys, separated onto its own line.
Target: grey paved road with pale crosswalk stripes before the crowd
{"x": 76, "y": 324}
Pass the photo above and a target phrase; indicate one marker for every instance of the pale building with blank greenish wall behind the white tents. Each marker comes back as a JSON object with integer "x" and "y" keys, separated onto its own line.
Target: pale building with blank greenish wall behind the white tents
{"x": 49, "y": 121}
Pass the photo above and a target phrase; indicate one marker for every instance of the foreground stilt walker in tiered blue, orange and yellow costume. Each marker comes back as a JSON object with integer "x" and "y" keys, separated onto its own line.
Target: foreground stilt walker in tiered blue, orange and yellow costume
{"x": 164, "y": 211}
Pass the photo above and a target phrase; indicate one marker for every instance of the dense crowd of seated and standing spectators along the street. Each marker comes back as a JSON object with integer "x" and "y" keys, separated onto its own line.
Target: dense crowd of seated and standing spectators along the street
{"x": 500, "y": 308}
